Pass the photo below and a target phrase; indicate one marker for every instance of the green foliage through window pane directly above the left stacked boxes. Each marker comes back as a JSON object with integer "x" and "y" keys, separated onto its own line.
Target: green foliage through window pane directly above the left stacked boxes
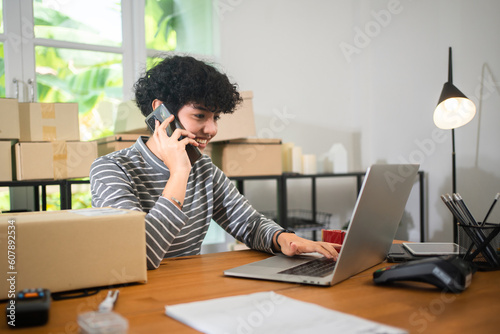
{"x": 87, "y": 77}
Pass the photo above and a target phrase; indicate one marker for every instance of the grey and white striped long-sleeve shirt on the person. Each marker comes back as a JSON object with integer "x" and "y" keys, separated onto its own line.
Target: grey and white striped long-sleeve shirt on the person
{"x": 134, "y": 178}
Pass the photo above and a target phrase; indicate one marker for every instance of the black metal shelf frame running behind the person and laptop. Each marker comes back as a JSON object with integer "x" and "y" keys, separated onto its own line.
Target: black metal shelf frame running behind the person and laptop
{"x": 281, "y": 184}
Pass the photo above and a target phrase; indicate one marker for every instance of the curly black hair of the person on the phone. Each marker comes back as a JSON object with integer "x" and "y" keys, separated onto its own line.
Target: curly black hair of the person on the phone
{"x": 180, "y": 80}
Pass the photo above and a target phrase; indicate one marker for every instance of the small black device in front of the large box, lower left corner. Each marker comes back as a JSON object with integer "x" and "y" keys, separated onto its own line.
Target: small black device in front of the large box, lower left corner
{"x": 29, "y": 308}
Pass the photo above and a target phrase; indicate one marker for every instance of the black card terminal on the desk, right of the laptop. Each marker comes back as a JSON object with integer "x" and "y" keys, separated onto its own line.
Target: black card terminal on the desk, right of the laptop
{"x": 448, "y": 273}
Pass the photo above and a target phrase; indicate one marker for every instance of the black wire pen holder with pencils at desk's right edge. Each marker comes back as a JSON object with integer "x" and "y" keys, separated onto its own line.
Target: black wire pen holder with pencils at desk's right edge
{"x": 480, "y": 239}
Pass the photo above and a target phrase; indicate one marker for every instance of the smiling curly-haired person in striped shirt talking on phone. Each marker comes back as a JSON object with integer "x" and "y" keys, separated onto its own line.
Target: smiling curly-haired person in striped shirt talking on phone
{"x": 180, "y": 200}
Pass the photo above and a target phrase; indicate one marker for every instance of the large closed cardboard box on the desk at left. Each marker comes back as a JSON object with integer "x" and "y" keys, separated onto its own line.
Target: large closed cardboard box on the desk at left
{"x": 71, "y": 249}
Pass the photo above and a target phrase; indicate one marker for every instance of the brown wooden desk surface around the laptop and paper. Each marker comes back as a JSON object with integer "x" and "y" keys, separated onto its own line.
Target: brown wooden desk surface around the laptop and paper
{"x": 417, "y": 308}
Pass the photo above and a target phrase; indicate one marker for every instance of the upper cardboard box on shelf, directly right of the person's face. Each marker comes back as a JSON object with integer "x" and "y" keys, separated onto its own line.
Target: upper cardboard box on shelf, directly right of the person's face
{"x": 239, "y": 124}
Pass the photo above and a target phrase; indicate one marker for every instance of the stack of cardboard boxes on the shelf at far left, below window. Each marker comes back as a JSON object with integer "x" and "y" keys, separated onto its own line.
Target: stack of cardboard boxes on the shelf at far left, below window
{"x": 40, "y": 141}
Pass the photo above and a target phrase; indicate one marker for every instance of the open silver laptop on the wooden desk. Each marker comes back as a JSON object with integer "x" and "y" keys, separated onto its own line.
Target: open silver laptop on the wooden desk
{"x": 374, "y": 222}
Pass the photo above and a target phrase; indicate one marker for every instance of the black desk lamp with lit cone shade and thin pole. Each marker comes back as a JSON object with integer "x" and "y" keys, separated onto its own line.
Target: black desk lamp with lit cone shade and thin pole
{"x": 454, "y": 110}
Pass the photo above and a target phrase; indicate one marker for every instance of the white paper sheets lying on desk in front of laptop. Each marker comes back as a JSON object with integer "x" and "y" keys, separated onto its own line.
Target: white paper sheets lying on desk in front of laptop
{"x": 268, "y": 312}
